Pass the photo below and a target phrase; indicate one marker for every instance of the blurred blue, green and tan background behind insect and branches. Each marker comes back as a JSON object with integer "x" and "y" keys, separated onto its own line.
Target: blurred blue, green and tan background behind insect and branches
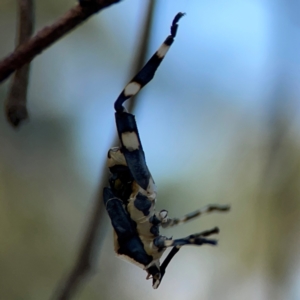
{"x": 219, "y": 124}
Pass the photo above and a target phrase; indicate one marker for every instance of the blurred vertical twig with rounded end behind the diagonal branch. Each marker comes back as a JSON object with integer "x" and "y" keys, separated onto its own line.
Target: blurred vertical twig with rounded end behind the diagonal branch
{"x": 15, "y": 105}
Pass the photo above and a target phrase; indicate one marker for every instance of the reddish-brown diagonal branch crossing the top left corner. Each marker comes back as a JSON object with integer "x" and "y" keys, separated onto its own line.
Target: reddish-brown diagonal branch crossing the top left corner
{"x": 50, "y": 34}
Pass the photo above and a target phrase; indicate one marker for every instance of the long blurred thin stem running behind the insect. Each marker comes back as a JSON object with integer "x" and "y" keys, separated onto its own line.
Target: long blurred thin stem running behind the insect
{"x": 96, "y": 227}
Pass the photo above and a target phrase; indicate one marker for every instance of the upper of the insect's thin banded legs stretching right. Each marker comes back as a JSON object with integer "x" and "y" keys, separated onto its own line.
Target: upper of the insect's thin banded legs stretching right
{"x": 168, "y": 222}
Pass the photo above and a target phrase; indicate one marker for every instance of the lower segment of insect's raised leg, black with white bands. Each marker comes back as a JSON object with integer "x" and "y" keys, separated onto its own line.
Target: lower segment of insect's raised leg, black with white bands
{"x": 147, "y": 72}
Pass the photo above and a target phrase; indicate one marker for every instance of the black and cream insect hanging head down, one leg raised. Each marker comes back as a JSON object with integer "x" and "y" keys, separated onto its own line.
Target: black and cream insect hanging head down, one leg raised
{"x": 130, "y": 199}
